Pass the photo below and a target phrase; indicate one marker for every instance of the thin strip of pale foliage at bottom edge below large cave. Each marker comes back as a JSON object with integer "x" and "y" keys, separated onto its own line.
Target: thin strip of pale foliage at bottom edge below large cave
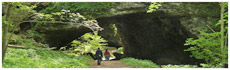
{"x": 179, "y": 66}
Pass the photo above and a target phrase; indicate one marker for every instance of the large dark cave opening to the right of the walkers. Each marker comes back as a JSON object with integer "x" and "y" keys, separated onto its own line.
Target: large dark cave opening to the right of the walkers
{"x": 158, "y": 37}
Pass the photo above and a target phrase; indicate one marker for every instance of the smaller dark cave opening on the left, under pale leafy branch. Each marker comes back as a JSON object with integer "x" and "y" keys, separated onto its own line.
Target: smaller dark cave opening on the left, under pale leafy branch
{"x": 57, "y": 34}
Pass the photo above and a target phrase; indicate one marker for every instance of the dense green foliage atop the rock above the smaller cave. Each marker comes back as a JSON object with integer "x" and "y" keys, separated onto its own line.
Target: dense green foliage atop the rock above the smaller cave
{"x": 85, "y": 8}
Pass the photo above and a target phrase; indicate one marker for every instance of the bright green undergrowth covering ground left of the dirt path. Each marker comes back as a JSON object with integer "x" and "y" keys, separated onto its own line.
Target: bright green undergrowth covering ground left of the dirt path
{"x": 43, "y": 58}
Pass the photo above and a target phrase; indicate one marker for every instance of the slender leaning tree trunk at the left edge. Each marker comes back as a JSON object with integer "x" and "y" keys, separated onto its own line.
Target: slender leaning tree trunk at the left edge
{"x": 5, "y": 30}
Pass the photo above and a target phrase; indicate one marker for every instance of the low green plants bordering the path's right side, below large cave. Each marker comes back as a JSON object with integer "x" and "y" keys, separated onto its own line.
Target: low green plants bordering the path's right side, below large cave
{"x": 139, "y": 63}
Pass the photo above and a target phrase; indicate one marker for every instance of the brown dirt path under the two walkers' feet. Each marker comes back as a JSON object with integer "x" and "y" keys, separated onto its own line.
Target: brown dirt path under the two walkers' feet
{"x": 108, "y": 64}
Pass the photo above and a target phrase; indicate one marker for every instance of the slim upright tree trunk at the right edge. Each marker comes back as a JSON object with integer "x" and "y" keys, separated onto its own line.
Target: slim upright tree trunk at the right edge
{"x": 222, "y": 30}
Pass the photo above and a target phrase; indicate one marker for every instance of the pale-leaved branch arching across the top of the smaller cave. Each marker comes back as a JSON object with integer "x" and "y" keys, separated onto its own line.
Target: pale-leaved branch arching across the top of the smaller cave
{"x": 68, "y": 17}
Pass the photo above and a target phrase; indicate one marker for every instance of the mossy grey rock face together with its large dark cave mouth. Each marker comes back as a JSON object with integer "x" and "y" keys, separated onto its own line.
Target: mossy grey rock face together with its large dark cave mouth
{"x": 160, "y": 36}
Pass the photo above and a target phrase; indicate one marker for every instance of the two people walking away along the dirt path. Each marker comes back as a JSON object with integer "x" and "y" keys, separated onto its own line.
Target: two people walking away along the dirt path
{"x": 99, "y": 55}
